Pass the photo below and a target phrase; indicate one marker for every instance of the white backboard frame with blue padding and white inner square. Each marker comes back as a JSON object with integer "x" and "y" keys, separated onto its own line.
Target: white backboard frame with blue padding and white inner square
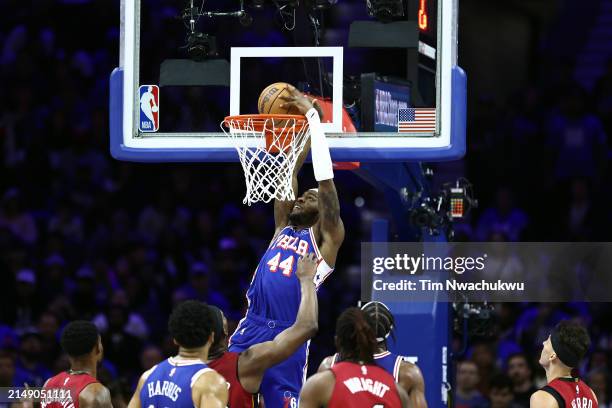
{"x": 448, "y": 143}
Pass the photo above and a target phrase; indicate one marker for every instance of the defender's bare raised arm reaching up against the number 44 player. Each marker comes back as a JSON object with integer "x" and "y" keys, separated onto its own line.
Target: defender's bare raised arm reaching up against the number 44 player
{"x": 258, "y": 358}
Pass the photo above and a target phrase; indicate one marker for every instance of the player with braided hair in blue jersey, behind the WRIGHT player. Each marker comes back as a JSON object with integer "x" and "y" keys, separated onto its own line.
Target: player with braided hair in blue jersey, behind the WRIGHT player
{"x": 408, "y": 375}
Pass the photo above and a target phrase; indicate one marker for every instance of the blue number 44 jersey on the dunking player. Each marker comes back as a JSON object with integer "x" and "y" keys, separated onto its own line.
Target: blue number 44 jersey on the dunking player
{"x": 275, "y": 289}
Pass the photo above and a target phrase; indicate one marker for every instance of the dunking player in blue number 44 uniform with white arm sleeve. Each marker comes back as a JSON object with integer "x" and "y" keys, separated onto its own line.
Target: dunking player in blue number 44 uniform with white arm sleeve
{"x": 311, "y": 224}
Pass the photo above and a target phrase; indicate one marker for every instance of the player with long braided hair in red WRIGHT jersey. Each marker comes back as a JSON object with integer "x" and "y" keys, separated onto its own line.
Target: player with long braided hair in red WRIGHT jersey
{"x": 356, "y": 381}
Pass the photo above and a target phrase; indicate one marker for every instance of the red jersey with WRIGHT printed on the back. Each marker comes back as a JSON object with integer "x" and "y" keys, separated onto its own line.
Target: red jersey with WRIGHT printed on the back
{"x": 363, "y": 386}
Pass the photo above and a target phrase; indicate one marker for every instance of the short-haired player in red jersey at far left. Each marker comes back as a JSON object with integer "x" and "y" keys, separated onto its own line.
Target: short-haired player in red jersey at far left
{"x": 81, "y": 341}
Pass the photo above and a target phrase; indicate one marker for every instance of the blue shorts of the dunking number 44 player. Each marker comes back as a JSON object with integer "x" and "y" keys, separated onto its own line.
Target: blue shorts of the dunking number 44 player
{"x": 281, "y": 383}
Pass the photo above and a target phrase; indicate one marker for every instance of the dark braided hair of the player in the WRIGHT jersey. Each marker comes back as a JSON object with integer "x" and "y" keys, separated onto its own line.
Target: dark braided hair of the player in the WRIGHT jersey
{"x": 355, "y": 337}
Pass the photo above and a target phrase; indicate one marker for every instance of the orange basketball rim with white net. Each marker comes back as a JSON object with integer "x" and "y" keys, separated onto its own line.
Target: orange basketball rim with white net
{"x": 268, "y": 147}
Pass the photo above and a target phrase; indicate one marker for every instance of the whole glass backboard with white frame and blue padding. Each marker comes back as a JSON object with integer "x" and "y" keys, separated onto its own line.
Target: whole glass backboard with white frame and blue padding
{"x": 386, "y": 72}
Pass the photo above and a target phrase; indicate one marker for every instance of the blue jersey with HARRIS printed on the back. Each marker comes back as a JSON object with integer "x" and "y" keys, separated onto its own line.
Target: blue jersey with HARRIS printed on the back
{"x": 169, "y": 383}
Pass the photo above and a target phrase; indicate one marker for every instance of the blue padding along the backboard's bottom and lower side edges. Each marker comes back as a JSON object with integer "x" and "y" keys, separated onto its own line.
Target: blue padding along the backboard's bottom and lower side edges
{"x": 456, "y": 149}
